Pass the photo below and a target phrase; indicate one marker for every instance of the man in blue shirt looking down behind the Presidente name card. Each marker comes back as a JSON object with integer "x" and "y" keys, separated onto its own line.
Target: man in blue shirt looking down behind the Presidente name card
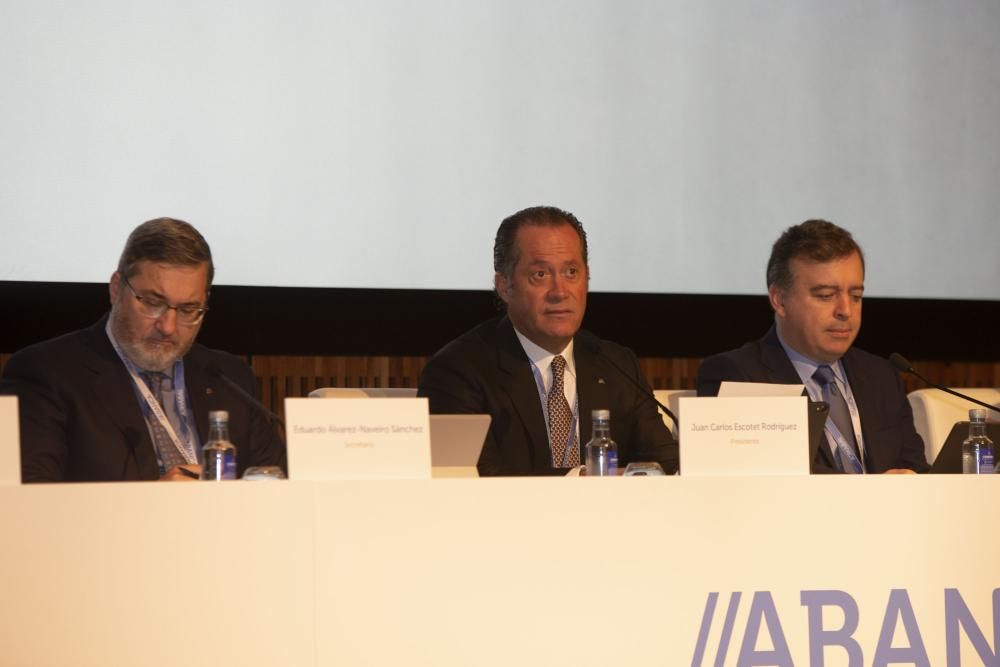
{"x": 816, "y": 281}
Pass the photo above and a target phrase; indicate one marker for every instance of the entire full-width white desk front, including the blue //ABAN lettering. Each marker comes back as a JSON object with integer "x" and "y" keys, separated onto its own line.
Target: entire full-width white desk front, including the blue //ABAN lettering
{"x": 641, "y": 571}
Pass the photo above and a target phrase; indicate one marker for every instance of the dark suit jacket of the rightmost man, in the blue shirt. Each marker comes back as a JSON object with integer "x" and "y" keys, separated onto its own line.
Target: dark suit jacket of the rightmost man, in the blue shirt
{"x": 886, "y": 416}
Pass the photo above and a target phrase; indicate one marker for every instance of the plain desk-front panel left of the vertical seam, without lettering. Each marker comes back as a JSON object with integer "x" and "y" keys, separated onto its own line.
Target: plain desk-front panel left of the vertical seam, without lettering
{"x": 151, "y": 573}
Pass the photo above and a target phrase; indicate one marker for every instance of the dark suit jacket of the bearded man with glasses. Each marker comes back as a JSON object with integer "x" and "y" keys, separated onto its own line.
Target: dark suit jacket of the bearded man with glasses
{"x": 81, "y": 420}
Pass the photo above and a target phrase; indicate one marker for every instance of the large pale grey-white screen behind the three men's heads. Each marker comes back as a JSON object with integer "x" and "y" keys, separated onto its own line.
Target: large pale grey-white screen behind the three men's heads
{"x": 379, "y": 144}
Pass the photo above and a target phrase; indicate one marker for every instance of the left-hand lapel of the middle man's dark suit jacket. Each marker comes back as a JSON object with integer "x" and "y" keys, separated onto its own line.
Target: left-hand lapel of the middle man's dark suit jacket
{"x": 518, "y": 382}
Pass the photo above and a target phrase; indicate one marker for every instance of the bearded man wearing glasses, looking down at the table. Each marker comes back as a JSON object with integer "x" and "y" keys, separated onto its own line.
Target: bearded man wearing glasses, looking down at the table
{"x": 128, "y": 398}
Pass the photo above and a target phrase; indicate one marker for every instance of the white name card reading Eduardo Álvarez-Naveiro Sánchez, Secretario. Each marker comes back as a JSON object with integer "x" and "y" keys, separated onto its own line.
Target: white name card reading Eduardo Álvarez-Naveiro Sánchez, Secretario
{"x": 358, "y": 438}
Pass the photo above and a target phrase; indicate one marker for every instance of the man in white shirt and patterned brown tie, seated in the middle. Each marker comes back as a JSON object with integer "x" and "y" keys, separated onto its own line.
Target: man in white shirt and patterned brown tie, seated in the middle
{"x": 534, "y": 371}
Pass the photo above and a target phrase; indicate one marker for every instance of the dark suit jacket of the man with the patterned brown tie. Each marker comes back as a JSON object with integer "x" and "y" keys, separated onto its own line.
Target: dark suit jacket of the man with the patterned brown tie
{"x": 487, "y": 371}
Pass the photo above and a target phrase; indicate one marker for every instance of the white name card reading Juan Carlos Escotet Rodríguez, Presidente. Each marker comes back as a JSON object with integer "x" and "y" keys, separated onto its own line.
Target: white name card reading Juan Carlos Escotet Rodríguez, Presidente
{"x": 744, "y": 436}
